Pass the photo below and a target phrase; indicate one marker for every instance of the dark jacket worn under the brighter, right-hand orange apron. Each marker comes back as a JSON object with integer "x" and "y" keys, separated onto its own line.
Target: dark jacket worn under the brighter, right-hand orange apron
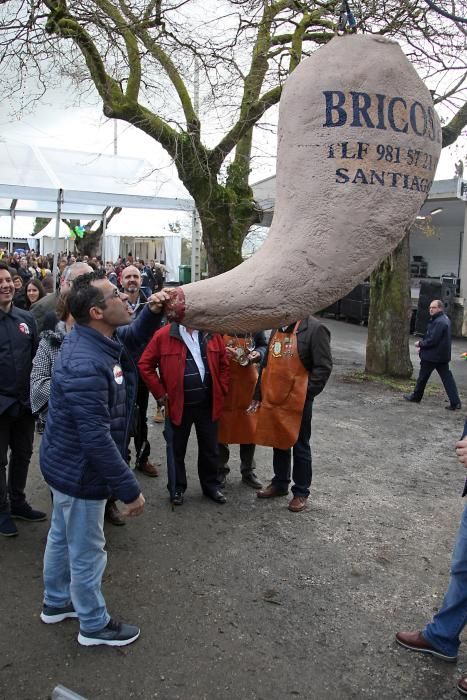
{"x": 314, "y": 350}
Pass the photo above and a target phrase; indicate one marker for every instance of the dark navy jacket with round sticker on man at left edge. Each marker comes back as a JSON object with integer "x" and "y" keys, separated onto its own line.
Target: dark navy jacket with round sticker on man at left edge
{"x": 18, "y": 345}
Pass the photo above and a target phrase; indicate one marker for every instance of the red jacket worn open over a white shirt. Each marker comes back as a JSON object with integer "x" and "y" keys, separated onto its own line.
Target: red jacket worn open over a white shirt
{"x": 166, "y": 352}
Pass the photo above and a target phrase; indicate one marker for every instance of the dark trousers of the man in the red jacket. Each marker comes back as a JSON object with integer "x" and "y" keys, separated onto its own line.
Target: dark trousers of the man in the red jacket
{"x": 206, "y": 434}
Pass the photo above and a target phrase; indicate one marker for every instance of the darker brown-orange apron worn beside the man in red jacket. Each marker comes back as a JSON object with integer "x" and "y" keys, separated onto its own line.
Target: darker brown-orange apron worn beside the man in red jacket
{"x": 235, "y": 426}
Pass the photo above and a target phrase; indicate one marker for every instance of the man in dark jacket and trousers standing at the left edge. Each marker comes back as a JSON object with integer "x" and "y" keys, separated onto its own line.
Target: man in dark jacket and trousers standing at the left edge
{"x": 18, "y": 344}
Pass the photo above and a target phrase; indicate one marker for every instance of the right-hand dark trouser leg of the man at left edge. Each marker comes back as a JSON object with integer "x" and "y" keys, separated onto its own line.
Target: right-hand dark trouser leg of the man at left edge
{"x": 21, "y": 444}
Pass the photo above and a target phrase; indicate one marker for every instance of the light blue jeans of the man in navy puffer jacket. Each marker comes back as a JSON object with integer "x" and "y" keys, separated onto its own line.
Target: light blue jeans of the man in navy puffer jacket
{"x": 75, "y": 559}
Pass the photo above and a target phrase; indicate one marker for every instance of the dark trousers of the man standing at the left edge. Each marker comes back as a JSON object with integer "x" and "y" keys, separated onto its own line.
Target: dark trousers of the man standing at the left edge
{"x": 17, "y": 436}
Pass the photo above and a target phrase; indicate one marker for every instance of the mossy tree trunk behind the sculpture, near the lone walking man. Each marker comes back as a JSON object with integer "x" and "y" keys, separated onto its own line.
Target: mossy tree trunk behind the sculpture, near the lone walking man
{"x": 387, "y": 350}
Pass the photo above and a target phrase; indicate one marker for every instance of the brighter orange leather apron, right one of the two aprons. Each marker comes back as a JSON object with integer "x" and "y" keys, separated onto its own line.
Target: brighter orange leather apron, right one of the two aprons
{"x": 284, "y": 384}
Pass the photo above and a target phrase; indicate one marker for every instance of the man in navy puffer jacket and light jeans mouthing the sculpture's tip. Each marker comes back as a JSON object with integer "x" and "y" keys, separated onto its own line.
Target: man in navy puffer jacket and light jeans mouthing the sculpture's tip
{"x": 84, "y": 448}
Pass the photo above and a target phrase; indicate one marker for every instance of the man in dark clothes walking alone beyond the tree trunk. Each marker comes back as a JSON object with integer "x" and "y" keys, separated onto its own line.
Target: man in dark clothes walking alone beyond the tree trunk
{"x": 435, "y": 354}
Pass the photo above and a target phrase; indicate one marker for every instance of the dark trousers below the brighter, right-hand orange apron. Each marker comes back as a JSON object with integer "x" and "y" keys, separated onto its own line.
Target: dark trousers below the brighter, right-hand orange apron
{"x": 301, "y": 451}
